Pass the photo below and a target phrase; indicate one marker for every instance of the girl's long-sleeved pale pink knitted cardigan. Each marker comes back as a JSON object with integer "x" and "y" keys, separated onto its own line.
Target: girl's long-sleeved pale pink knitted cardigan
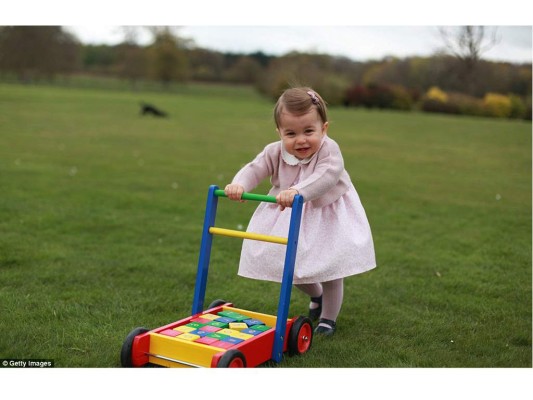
{"x": 321, "y": 181}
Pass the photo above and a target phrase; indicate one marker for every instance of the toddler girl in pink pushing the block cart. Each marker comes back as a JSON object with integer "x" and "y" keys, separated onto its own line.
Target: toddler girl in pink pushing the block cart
{"x": 335, "y": 238}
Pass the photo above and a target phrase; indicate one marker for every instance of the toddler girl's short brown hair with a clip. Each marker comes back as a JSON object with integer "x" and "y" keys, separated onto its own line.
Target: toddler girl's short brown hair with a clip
{"x": 299, "y": 101}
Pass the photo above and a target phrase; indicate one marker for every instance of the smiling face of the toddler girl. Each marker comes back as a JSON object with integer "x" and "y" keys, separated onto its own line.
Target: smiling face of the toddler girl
{"x": 302, "y": 134}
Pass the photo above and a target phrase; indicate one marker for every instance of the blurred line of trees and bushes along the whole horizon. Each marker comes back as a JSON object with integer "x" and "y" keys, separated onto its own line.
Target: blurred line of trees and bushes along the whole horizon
{"x": 33, "y": 53}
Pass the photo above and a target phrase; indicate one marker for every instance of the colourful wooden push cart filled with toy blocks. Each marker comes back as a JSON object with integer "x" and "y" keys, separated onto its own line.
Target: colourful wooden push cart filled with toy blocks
{"x": 222, "y": 335}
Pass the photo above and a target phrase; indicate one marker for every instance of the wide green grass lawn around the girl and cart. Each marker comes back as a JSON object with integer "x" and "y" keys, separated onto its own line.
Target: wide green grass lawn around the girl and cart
{"x": 101, "y": 213}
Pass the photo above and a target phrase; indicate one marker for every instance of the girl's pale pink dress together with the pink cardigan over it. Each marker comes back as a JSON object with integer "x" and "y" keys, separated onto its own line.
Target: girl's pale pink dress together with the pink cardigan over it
{"x": 335, "y": 238}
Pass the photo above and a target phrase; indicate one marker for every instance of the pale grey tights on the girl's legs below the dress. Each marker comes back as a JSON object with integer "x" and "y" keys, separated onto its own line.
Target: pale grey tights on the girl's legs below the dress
{"x": 332, "y": 294}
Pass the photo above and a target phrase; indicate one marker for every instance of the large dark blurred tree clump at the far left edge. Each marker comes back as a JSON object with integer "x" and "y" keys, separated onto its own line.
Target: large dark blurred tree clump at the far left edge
{"x": 34, "y": 52}
